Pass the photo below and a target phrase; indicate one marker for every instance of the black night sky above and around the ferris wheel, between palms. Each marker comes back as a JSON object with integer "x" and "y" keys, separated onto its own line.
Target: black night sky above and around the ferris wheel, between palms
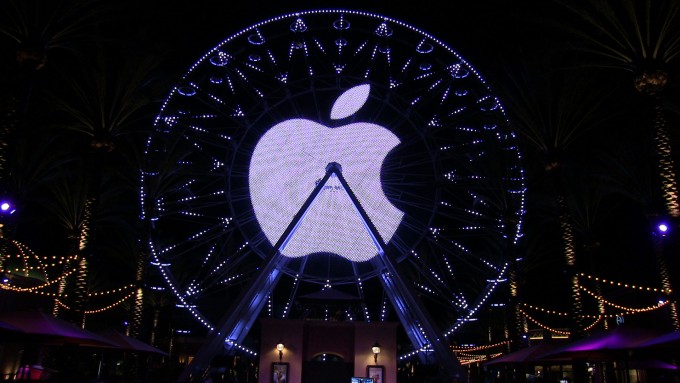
{"x": 509, "y": 42}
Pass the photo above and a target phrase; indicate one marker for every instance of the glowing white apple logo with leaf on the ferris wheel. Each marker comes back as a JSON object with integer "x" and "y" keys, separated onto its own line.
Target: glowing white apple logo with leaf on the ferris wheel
{"x": 292, "y": 156}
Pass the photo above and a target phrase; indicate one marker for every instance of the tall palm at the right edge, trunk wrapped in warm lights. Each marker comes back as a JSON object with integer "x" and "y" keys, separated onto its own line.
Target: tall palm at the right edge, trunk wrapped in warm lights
{"x": 641, "y": 38}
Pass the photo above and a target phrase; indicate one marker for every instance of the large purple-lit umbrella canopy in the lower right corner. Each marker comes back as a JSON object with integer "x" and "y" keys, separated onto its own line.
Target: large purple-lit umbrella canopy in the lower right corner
{"x": 608, "y": 345}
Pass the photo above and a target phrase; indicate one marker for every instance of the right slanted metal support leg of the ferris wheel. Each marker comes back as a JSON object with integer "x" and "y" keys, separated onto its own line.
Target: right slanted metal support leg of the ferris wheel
{"x": 419, "y": 326}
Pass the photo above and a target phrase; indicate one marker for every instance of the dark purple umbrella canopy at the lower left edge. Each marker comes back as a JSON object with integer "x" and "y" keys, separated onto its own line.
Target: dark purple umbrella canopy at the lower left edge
{"x": 53, "y": 330}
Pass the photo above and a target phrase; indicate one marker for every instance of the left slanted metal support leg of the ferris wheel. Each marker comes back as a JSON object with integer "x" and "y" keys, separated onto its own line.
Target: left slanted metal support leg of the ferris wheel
{"x": 235, "y": 325}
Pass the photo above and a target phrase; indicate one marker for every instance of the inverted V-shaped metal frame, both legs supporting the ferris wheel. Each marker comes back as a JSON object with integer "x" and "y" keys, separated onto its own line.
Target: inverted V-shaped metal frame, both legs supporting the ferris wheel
{"x": 419, "y": 326}
